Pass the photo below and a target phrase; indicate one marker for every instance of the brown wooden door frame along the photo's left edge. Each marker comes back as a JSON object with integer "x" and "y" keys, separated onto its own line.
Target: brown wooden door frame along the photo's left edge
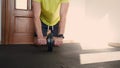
{"x": 5, "y": 19}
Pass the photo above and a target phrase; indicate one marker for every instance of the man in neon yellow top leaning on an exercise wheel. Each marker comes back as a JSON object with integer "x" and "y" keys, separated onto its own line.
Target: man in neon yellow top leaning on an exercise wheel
{"x": 50, "y": 14}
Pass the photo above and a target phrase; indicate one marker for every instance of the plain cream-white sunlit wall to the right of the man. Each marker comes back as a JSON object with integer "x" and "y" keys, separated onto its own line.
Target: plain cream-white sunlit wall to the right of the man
{"x": 93, "y": 23}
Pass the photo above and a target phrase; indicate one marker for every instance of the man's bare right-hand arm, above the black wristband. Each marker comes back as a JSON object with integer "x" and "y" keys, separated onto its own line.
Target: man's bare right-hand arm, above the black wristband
{"x": 63, "y": 14}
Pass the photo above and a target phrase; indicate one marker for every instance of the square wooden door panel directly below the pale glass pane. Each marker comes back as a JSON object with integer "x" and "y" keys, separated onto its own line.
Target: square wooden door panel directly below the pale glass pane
{"x": 23, "y": 25}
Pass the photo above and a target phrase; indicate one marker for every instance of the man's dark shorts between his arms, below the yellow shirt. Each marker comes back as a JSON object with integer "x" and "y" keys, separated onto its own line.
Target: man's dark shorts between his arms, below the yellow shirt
{"x": 54, "y": 30}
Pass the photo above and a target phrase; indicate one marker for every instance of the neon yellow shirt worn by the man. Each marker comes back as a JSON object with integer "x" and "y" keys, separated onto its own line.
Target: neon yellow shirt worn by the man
{"x": 50, "y": 11}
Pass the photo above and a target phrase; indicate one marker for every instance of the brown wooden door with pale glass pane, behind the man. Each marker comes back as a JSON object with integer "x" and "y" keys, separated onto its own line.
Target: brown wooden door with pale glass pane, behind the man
{"x": 19, "y": 26}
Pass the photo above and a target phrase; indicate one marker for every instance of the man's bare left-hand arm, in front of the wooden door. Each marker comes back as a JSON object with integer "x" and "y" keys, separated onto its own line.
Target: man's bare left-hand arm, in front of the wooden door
{"x": 37, "y": 12}
